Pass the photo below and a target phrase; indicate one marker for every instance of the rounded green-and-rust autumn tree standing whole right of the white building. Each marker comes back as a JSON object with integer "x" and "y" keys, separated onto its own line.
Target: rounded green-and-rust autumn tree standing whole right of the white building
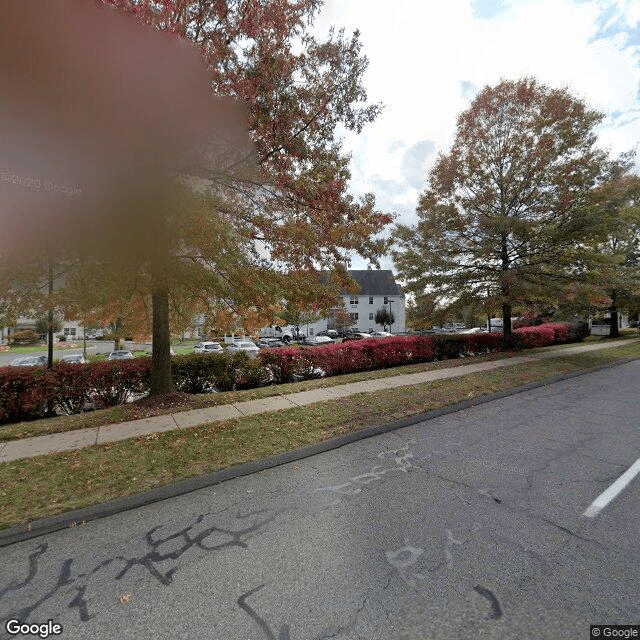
{"x": 507, "y": 208}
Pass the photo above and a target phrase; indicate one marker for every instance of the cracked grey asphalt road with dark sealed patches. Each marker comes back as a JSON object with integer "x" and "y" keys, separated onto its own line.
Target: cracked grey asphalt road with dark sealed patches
{"x": 466, "y": 526}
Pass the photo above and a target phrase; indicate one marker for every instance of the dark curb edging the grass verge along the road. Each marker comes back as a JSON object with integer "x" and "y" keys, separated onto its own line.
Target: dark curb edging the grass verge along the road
{"x": 78, "y": 517}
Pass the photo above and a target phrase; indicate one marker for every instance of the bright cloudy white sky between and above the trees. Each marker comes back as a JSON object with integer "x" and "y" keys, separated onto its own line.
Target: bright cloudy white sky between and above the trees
{"x": 429, "y": 58}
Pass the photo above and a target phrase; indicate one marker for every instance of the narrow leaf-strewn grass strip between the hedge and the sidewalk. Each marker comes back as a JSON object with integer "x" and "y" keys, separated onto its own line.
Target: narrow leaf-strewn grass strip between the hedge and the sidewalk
{"x": 136, "y": 410}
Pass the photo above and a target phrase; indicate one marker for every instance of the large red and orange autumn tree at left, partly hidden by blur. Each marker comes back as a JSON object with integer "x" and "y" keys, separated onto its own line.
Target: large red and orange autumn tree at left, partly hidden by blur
{"x": 232, "y": 248}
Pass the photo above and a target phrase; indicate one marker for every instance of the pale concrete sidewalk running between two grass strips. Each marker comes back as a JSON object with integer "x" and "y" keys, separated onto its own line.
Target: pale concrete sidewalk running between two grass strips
{"x": 69, "y": 440}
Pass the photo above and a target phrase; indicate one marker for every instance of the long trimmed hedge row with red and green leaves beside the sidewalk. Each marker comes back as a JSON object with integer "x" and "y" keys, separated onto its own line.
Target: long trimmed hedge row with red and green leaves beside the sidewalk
{"x": 28, "y": 393}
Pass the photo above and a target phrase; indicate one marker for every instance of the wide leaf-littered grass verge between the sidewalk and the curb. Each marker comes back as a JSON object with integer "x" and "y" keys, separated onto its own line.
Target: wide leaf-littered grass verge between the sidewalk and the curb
{"x": 46, "y": 485}
